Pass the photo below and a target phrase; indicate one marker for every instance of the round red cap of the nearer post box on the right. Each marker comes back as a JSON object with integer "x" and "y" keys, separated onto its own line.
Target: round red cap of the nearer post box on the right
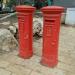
{"x": 53, "y": 9}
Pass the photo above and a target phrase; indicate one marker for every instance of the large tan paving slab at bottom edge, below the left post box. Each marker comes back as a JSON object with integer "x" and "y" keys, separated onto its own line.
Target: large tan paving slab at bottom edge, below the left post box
{"x": 19, "y": 70}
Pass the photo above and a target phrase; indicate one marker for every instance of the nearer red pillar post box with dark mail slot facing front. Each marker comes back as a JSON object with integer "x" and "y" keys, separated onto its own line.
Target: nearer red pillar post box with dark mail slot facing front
{"x": 52, "y": 17}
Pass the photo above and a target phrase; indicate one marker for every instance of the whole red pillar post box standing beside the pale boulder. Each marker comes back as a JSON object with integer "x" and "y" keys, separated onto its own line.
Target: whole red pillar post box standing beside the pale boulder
{"x": 25, "y": 14}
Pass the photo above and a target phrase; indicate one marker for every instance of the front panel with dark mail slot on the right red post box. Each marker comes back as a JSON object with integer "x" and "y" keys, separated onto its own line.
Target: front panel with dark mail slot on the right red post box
{"x": 49, "y": 34}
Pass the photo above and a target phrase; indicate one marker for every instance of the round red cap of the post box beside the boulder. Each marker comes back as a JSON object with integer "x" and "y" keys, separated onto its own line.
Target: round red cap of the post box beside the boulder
{"x": 22, "y": 8}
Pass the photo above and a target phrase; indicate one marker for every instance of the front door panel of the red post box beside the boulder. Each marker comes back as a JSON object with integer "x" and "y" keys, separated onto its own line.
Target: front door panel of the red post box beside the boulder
{"x": 24, "y": 32}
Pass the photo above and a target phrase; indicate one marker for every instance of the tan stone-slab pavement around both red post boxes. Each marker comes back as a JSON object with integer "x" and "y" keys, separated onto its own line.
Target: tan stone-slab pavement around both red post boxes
{"x": 12, "y": 64}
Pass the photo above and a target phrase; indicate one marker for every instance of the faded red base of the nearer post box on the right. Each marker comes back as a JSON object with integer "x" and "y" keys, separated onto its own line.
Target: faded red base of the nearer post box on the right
{"x": 49, "y": 63}
